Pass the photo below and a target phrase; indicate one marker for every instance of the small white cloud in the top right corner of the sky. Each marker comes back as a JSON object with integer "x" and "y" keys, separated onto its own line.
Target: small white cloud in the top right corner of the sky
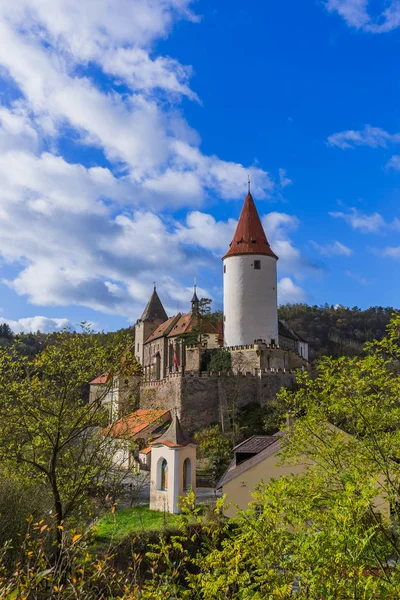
{"x": 356, "y": 14}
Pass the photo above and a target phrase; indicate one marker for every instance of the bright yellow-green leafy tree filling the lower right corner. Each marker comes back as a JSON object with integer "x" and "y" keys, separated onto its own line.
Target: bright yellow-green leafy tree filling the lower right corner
{"x": 325, "y": 532}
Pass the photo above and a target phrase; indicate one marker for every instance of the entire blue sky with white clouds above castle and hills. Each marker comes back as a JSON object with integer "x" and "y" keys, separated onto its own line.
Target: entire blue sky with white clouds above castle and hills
{"x": 128, "y": 128}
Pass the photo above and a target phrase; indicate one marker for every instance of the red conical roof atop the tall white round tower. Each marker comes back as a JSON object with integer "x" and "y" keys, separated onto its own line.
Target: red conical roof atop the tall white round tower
{"x": 249, "y": 236}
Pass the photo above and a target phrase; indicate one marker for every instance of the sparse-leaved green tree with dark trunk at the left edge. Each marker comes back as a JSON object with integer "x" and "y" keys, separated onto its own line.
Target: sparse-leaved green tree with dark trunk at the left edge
{"x": 49, "y": 432}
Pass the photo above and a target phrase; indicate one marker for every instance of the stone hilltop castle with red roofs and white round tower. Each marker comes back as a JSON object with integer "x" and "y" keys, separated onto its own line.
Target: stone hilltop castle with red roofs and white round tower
{"x": 264, "y": 351}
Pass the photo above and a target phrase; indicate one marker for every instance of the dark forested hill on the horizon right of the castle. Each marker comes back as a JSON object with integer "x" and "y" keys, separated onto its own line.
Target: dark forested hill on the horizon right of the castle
{"x": 336, "y": 331}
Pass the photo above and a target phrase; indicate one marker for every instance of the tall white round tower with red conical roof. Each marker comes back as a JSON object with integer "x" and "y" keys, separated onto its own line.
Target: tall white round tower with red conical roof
{"x": 250, "y": 283}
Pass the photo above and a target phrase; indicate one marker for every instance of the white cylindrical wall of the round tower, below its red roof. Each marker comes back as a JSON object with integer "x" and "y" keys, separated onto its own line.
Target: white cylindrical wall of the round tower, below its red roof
{"x": 250, "y": 300}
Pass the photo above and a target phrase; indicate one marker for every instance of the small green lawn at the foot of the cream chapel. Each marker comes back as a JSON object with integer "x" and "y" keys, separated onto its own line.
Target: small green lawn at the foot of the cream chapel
{"x": 129, "y": 520}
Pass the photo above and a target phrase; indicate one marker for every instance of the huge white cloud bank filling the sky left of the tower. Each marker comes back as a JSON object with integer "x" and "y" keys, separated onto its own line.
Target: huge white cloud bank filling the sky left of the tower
{"x": 95, "y": 236}
